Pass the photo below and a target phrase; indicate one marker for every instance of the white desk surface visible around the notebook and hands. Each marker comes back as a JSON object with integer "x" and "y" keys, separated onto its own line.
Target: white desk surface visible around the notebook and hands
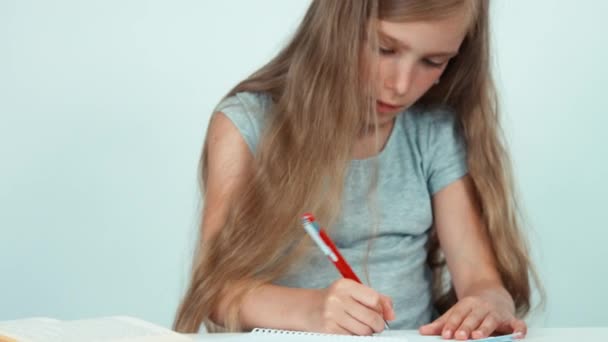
{"x": 534, "y": 335}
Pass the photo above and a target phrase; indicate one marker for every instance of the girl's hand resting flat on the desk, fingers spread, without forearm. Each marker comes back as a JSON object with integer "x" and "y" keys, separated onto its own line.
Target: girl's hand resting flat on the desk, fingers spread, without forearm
{"x": 475, "y": 317}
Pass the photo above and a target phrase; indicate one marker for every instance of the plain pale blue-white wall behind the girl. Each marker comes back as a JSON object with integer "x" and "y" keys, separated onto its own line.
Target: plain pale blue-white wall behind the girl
{"x": 103, "y": 110}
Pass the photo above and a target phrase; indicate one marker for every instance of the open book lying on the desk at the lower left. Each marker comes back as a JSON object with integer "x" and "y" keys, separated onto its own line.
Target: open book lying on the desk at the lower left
{"x": 119, "y": 328}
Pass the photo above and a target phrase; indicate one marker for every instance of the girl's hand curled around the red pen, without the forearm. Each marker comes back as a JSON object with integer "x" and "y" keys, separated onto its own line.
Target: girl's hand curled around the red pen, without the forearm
{"x": 347, "y": 307}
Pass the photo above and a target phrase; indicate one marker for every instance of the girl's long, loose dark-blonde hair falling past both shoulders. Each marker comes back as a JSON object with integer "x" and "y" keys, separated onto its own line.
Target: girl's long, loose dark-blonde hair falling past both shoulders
{"x": 319, "y": 94}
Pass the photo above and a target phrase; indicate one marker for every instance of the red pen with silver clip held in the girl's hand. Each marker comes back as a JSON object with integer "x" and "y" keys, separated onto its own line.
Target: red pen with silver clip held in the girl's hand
{"x": 329, "y": 248}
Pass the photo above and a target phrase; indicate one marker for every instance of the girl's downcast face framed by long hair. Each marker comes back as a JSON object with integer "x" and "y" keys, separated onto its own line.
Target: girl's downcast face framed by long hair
{"x": 412, "y": 57}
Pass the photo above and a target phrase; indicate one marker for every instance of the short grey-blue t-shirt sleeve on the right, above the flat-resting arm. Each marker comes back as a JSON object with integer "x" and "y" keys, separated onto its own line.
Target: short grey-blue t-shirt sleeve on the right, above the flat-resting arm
{"x": 445, "y": 151}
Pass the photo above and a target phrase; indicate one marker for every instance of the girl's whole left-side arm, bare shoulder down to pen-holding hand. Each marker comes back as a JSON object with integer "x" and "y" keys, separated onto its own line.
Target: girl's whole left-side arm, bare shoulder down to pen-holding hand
{"x": 345, "y": 307}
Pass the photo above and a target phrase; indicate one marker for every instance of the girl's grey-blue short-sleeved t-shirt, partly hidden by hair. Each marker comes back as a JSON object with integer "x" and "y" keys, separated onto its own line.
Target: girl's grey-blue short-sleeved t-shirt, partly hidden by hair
{"x": 423, "y": 154}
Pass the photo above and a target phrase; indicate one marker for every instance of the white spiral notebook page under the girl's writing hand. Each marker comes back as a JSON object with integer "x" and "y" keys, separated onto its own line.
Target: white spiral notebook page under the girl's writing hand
{"x": 296, "y": 336}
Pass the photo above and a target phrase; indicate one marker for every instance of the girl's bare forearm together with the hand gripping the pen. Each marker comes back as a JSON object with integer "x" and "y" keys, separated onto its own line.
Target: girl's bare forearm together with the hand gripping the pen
{"x": 345, "y": 307}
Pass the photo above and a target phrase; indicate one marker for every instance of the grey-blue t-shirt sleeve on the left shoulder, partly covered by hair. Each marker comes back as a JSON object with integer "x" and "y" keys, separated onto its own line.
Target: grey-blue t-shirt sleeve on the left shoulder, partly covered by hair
{"x": 246, "y": 111}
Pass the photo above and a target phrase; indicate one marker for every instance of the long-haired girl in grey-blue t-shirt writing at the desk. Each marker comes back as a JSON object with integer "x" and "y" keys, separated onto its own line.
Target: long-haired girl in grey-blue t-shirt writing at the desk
{"x": 379, "y": 117}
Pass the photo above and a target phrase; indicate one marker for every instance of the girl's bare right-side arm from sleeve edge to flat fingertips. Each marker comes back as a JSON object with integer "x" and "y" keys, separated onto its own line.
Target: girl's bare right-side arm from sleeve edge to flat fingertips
{"x": 484, "y": 305}
